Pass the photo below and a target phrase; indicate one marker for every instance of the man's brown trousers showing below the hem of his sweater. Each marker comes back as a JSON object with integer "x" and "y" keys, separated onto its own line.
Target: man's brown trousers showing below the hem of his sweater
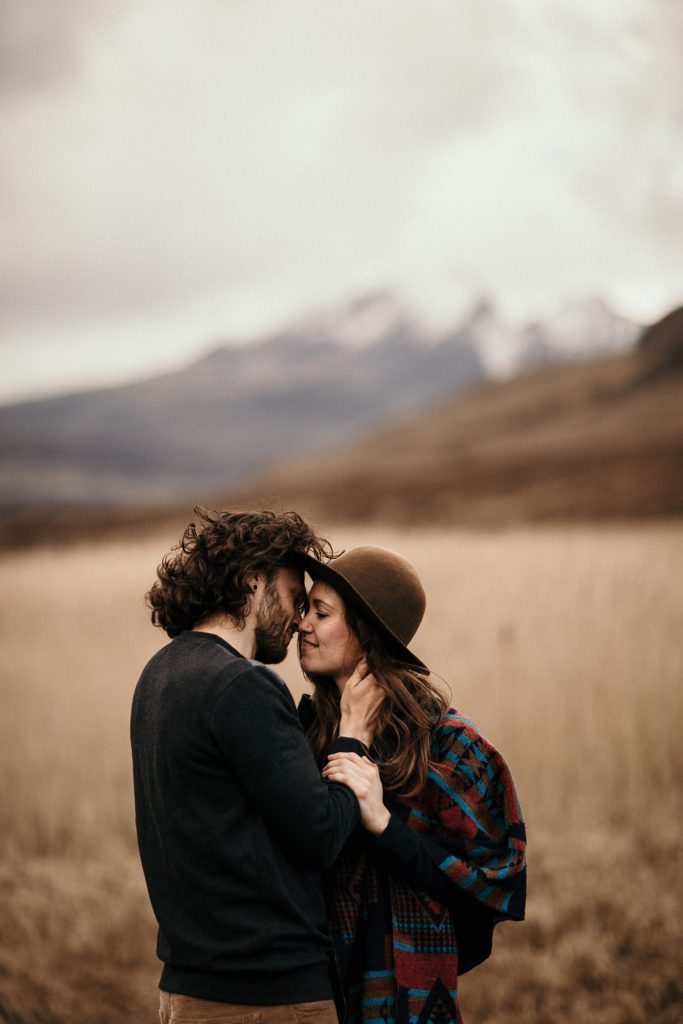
{"x": 176, "y": 1009}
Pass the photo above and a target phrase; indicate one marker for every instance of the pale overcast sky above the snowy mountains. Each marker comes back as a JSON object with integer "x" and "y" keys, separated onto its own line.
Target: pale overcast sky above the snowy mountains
{"x": 181, "y": 173}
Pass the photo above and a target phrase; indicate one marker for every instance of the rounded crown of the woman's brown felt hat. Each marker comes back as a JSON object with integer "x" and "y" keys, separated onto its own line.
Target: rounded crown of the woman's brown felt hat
{"x": 389, "y": 585}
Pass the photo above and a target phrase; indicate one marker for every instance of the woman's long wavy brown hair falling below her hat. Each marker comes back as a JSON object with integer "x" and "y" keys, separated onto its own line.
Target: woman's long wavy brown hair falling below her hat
{"x": 404, "y": 722}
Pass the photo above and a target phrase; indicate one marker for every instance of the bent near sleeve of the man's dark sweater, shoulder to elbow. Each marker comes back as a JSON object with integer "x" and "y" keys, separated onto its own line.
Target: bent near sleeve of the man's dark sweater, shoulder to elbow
{"x": 257, "y": 727}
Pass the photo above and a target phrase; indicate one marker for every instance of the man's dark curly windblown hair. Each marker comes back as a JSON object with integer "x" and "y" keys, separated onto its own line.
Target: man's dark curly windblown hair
{"x": 206, "y": 574}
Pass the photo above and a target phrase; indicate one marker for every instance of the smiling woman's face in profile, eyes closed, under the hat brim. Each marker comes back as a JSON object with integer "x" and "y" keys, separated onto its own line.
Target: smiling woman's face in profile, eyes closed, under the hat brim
{"x": 327, "y": 645}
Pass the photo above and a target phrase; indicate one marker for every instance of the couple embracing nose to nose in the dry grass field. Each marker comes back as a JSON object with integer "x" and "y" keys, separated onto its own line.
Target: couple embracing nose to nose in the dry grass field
{"x": 359, "y": 852}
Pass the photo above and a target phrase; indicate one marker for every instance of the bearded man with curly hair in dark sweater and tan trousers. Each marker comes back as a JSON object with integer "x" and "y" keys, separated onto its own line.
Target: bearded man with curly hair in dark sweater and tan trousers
{"x": 234, "y": 821}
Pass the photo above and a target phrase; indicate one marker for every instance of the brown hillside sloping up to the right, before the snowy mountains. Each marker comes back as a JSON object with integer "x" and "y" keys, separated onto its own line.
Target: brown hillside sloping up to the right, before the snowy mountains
{"x": 589, "y": 442}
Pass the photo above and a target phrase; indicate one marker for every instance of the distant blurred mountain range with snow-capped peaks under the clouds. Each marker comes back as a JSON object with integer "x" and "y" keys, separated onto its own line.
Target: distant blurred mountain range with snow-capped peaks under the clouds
{"x": 311, "y": 387}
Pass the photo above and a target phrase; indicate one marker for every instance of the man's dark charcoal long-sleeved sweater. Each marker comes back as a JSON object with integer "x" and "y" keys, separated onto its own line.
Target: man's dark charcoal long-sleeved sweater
{"x": 235, "y": 826}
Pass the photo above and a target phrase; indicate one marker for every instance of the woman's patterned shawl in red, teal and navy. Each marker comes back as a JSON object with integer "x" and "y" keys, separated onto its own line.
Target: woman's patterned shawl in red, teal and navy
{"x": 398, "y": 948}
